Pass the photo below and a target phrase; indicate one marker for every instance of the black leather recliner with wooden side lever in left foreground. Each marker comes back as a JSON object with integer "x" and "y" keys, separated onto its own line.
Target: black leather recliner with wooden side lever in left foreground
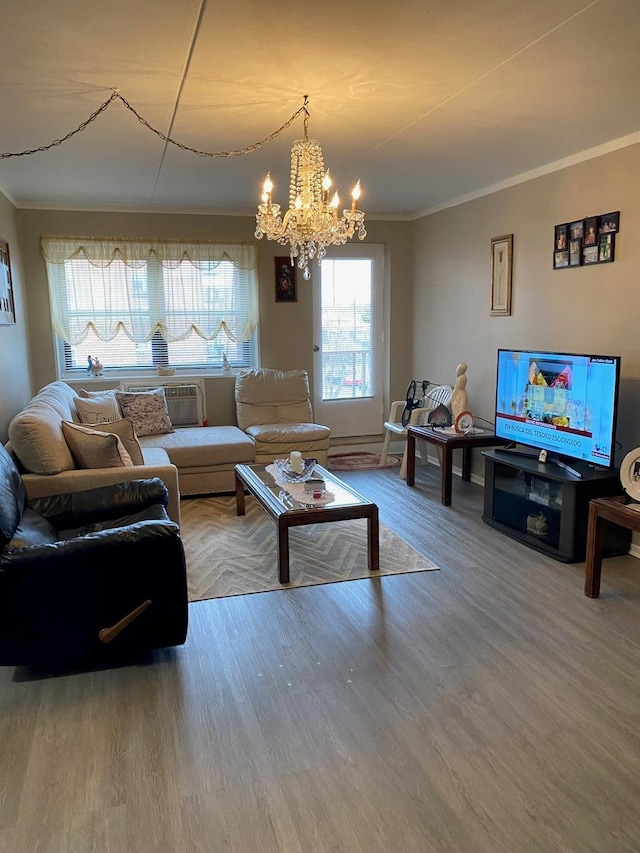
{"x": 90, "y": 576}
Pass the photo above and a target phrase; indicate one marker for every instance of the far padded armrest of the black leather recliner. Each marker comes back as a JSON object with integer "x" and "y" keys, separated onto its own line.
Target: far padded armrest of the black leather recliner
{"x": 78, "y": 508}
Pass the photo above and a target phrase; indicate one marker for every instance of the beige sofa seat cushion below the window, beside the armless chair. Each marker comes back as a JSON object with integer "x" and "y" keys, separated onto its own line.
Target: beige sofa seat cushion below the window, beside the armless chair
{"x": 203, "y": 447}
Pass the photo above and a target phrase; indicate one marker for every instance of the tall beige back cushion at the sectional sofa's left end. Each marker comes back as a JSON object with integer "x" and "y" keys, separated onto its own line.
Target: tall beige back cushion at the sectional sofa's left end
{"x": 36, "y": 432}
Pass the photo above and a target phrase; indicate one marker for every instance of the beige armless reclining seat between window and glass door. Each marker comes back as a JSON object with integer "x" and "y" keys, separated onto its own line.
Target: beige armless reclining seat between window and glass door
{"x": 274, "y": 408}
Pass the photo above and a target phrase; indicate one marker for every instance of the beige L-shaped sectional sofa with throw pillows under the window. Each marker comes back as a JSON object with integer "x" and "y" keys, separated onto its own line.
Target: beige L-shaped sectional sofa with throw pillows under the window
{"x": 190, "y": 461}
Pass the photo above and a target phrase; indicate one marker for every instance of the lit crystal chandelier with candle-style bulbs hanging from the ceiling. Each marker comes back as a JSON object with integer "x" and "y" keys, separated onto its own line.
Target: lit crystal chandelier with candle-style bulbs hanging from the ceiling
{"x": 311, "y": 223}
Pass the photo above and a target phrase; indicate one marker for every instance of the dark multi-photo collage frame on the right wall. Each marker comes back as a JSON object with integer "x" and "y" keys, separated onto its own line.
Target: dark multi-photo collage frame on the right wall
{"x": 587, "y": 241}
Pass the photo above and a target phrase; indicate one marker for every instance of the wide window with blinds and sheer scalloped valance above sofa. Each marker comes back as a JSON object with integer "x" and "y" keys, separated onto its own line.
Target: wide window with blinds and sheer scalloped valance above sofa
{"x": 139, "y": 305}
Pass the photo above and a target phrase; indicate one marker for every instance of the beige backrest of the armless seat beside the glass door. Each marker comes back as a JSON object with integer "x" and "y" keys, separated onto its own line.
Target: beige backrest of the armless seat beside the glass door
{"x": 272, "y": 396}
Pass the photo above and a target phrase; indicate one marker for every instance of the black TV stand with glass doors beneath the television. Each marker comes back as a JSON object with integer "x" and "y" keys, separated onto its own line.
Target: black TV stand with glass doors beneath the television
{"x": 546, "y": 507}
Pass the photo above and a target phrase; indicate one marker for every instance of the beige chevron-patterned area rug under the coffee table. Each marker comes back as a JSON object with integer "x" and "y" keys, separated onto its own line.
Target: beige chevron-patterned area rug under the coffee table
{"x": 235, "y": 555}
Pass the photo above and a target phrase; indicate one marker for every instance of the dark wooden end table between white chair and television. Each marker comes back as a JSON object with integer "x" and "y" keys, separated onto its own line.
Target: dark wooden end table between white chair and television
{"x": 447, "y": 442}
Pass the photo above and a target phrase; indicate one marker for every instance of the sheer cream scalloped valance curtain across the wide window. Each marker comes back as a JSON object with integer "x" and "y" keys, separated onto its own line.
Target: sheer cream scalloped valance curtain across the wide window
{"x": 140, "y": 287}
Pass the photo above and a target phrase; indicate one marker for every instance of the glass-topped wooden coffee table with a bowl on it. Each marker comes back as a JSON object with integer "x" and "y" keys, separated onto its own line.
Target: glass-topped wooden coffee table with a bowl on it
{"x": 288, "y": 512}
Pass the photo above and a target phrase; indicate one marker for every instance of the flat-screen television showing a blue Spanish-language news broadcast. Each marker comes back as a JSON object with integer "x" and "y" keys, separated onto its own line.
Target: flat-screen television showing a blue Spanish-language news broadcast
{"x": 559, "y": 402}
